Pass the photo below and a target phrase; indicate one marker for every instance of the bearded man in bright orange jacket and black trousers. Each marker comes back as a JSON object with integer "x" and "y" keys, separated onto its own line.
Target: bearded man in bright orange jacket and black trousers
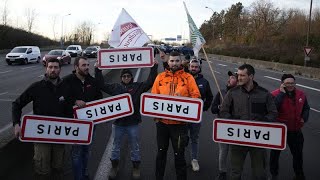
{"x": 174, "y": 82}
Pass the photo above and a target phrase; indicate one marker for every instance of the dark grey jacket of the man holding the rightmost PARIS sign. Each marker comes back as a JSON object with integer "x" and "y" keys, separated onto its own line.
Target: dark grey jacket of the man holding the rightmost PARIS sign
{"x": 256, "y": 105}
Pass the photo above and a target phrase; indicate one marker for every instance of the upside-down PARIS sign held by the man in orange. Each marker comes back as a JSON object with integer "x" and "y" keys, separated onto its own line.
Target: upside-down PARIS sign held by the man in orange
{"x": 171, "y": 107}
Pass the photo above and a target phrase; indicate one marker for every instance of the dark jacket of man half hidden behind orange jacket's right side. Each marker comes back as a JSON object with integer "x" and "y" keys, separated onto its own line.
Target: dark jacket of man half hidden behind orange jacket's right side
{"x": 205, "y": 91}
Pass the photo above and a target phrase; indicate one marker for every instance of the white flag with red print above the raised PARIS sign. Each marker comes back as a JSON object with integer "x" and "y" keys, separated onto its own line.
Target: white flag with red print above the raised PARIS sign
{"x": 127, "y": 33}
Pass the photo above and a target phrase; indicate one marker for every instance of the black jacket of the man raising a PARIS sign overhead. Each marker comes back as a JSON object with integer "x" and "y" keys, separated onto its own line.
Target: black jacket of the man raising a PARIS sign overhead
{"x": 135, "y": 89}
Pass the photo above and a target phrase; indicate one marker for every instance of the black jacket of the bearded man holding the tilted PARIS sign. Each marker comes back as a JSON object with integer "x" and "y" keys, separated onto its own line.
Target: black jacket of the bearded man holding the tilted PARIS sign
{"x": 87, "y": 91}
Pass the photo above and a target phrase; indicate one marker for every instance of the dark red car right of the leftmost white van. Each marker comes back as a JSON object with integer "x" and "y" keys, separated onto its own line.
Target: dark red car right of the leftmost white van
{"x": 62, "y": 55}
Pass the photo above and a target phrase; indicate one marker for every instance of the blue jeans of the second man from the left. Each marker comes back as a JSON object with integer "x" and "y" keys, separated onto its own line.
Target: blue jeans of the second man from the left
{"x": 80, "y": 156}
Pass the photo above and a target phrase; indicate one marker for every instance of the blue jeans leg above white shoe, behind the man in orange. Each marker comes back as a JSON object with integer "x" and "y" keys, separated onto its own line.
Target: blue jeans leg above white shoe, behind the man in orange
{"x": 194, "y": 129}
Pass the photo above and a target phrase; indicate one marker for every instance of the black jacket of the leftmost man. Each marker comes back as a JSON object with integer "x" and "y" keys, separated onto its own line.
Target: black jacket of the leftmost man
{"x": 48, "y": 100}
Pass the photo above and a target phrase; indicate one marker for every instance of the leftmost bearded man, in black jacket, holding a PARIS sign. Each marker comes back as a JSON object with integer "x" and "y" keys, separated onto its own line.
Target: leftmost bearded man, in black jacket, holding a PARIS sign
{"x": 50, "y": 97}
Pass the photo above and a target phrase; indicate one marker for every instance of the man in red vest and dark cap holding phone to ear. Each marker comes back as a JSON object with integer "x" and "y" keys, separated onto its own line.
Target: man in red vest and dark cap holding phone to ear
{"x": 293, "y": 111}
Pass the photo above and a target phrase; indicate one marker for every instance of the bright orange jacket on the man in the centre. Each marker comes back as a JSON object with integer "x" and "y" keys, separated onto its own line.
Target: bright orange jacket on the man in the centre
{"x": 179, "y": 83}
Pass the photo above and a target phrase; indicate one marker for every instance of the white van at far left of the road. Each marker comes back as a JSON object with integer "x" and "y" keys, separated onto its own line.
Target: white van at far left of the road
{"x": 24, "y": 55}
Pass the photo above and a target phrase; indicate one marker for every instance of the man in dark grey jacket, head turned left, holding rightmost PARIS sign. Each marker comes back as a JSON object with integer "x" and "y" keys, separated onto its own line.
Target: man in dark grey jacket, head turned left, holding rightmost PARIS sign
{"x": 248, "y": 101}
